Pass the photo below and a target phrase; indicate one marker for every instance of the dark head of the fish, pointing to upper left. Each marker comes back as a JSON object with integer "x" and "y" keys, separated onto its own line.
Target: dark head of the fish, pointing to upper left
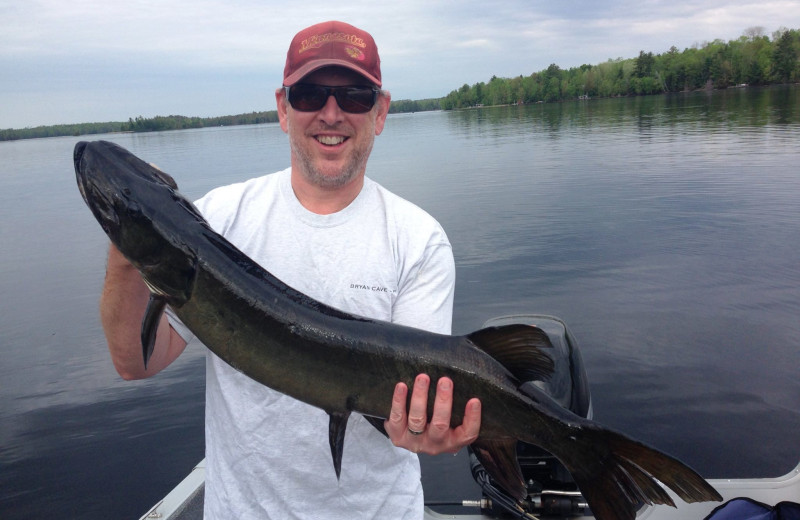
{"x": 139, "y": 208}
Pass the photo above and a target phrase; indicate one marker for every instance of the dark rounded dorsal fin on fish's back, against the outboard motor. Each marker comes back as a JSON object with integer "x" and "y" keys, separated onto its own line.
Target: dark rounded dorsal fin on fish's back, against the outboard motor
{"x": 519, "y": 348}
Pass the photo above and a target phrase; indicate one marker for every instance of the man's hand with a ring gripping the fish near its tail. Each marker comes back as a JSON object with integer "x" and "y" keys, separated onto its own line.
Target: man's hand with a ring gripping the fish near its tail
{"x": 413, "y": 432}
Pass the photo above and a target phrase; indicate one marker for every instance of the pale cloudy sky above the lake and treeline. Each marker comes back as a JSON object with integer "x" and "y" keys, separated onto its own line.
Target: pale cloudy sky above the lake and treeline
{"x": 75, "y": 61}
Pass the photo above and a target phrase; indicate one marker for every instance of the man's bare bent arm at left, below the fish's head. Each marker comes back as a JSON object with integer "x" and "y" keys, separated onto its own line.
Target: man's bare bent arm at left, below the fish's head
{"x": 122, "y": 307}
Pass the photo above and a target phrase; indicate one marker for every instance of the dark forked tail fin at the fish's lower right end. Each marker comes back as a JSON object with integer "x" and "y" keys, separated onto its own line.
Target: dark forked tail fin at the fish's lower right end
{"x": 617, "y": 475}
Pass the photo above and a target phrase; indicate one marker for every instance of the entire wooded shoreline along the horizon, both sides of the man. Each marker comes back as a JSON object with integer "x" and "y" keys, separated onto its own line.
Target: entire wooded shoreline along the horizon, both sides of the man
{"x": 753, "y": 59}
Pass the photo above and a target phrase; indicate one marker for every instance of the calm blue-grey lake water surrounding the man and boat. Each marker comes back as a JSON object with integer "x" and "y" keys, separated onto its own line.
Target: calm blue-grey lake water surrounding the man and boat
{"x": 664, "y": 230}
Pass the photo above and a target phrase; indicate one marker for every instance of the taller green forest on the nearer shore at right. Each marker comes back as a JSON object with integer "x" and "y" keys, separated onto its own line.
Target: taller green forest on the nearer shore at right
{"x": 753, "y": 59}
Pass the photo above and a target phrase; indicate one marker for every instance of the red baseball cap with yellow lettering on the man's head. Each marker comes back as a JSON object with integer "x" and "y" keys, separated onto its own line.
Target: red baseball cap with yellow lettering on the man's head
{"x": 332, "y": 44}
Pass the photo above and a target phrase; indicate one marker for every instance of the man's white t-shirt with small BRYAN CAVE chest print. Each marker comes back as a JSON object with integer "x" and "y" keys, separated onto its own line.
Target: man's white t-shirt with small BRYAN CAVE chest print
{"x": 267, "y": 454}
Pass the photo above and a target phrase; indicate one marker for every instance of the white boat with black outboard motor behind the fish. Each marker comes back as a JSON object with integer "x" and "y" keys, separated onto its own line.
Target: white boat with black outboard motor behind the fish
{"x": 552, "y": 494}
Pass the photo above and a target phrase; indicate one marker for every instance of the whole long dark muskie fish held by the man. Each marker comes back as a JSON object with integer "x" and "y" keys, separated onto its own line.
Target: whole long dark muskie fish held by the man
{"x": 343, "y": 363}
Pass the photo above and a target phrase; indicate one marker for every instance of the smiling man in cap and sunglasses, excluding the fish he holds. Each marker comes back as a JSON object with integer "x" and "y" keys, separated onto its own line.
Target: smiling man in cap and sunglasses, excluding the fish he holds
{"x": 327, "y": 230}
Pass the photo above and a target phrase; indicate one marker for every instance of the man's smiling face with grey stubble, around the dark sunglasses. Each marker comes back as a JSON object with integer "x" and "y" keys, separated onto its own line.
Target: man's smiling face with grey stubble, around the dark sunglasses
{"x": 330, "y": 147}
